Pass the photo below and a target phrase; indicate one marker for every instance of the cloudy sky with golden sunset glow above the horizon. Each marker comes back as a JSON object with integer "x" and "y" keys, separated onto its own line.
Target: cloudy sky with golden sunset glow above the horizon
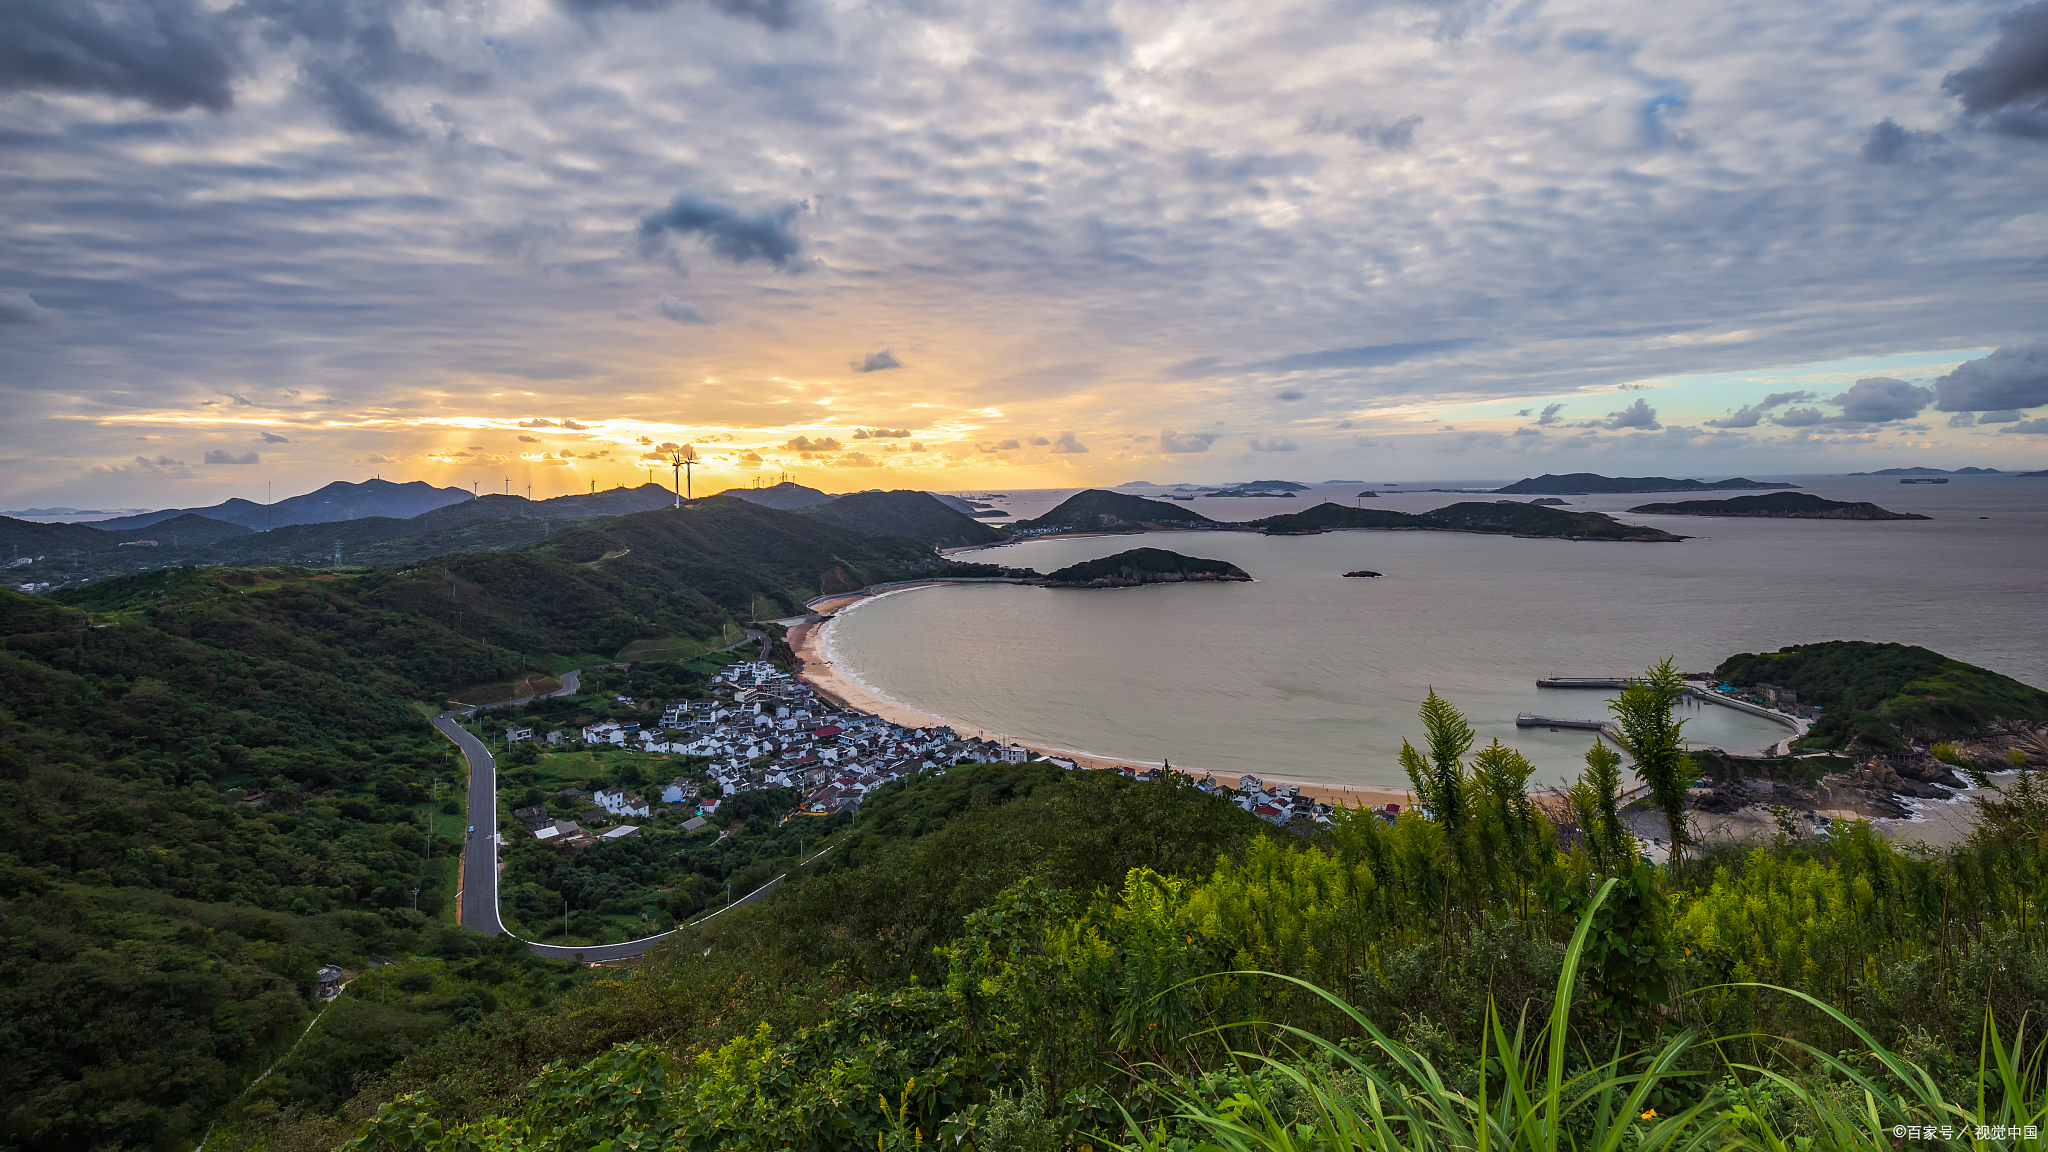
{"x": 1013, "y": 243}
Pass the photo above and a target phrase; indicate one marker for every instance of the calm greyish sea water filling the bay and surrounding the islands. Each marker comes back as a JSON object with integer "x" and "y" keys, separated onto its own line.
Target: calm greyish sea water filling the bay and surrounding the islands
{"x": 1310, "y": 675}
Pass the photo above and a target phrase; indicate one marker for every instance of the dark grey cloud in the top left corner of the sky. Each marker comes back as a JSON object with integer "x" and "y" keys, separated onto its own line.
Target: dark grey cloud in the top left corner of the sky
{"x": 169, "y": 54}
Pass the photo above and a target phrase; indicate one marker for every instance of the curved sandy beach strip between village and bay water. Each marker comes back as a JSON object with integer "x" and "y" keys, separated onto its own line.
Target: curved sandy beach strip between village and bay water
{"x": 843, "y": 688}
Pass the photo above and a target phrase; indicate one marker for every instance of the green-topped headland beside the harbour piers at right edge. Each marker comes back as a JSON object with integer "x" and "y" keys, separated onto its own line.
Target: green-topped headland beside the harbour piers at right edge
{"x": 1873, "y": 692}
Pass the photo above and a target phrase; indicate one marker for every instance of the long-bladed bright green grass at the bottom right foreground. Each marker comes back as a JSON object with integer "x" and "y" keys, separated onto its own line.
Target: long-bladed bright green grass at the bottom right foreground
{"x": 1385, "y": 1096}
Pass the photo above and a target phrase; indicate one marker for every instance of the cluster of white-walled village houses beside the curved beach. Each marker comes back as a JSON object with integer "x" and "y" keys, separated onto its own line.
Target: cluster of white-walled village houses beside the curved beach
{"x": 765, "y": 729}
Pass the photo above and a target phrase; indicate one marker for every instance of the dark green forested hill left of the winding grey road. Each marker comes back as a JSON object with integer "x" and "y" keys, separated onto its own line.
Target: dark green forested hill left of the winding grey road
{"x": 220, "y": 778}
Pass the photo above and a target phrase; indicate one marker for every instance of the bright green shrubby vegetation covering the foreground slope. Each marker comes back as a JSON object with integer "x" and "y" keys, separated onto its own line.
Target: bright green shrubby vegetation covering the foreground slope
{"x": 988, "y": 979}
